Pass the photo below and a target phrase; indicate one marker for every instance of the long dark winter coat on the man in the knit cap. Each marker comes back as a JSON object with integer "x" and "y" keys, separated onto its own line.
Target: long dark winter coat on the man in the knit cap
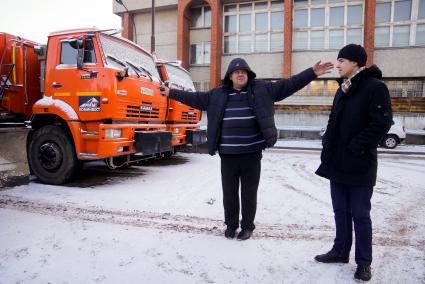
{"x": 357, "y": 122}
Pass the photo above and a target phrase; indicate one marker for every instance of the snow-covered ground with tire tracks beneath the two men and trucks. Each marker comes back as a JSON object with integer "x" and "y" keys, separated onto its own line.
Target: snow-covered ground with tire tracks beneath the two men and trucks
{"x": 164, "y": 223}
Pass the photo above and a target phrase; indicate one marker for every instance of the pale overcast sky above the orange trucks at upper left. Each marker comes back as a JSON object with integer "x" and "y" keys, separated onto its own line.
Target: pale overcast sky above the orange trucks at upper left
{"x": 35, "y": 19}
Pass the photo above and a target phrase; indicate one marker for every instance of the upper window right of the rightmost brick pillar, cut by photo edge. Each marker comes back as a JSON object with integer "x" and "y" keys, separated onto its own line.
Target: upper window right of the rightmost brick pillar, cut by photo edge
{"x": 399, "y": 23}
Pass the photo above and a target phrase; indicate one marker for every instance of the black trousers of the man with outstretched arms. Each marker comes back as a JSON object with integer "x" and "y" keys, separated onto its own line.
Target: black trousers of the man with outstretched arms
{"x": 244, "y": 169}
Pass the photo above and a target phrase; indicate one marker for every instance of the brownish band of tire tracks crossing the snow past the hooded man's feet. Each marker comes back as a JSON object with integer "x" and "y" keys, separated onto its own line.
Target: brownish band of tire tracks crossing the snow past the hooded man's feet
{"x": 184, "y": 223}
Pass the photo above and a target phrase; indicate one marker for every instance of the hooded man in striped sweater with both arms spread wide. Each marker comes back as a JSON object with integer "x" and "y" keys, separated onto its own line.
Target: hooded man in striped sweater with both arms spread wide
{"x": 240, "y": 125}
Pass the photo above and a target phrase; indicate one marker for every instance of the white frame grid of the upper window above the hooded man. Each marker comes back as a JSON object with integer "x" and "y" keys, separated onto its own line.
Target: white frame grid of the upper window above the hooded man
{"x": 252, "y": 32}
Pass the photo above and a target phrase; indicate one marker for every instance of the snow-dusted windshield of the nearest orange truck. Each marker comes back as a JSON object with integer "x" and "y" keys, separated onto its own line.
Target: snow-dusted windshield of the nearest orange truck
{"x": 118, "y": 54}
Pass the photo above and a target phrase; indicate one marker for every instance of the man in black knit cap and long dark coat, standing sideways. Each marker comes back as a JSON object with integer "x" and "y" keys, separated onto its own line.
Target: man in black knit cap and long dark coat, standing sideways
{"x": 361, "y": 115}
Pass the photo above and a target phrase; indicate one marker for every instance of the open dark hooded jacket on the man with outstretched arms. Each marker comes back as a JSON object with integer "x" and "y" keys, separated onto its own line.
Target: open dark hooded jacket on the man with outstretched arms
{"x": 261, "y": 96}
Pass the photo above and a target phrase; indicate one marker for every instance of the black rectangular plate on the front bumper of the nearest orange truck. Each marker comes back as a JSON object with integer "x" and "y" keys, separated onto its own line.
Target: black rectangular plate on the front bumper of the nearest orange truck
{"x": 148, "y": 142}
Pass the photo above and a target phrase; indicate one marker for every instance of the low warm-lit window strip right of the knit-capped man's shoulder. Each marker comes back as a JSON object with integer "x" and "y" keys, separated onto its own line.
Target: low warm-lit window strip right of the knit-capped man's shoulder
{"x": 405, "y": 88}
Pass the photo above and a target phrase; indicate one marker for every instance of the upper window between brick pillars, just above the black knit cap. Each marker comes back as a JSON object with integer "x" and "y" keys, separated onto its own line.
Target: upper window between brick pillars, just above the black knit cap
{"x": 327, "y": 24}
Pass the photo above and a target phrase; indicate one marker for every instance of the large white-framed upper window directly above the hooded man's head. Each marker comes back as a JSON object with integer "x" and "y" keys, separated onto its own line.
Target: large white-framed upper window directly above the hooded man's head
{"x": 253, "y": 27}
